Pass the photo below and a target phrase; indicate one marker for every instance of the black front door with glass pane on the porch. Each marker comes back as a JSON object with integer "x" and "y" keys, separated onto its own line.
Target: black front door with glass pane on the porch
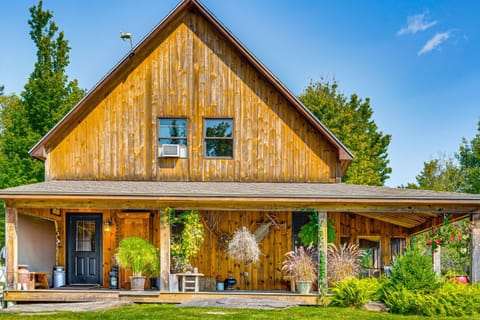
{"x": 84, "y": 248}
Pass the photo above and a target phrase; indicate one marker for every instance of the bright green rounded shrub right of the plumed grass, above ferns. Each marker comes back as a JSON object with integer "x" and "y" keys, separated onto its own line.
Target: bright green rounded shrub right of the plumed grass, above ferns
{"x": 412, "y": 271}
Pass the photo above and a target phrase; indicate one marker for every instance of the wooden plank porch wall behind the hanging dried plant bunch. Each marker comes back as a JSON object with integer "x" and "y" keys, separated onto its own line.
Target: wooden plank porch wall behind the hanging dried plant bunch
{"x": 266, "y": 274}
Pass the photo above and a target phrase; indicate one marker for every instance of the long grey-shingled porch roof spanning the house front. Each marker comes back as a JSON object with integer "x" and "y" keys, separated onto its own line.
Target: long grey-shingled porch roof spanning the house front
{"x": 403, "y": 207}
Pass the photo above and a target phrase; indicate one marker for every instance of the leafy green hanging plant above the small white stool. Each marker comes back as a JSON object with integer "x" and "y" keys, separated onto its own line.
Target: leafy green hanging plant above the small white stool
{"x": 187, "y": 243}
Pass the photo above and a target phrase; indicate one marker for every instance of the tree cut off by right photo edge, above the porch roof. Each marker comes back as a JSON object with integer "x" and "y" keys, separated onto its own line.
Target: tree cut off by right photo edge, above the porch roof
{"x": 469, "y": 158}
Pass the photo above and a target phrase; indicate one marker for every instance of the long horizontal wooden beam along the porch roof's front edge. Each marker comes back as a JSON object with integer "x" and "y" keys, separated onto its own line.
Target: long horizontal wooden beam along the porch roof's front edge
{"x": 236, "y": 203}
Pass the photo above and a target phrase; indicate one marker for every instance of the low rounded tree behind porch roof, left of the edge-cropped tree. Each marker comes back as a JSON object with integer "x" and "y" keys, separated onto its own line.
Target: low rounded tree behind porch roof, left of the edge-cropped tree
{"x": 440, "y": 174}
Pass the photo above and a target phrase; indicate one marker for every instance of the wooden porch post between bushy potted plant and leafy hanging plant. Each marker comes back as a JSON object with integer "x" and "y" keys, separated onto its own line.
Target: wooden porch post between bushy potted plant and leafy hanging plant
{"x": 164, "y": 249}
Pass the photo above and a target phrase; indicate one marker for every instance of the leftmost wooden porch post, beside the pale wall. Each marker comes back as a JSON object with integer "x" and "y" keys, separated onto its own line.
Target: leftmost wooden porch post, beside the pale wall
{"x": 11, "y": 242}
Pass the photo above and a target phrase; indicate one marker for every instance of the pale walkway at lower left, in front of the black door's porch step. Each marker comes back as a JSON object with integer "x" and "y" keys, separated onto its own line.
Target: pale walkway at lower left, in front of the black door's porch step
{"x": 47, "y": 308}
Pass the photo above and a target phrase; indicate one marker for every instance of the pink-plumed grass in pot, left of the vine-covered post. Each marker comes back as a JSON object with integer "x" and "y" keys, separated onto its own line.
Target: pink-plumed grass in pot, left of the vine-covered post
{"x": 301, "y": 265}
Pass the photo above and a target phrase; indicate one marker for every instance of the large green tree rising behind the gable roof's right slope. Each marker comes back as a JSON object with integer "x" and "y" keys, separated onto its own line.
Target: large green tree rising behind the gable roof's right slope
{"x": 350, "y": 120}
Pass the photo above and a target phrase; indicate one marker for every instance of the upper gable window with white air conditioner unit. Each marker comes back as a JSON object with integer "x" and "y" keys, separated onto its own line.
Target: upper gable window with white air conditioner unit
{"x": 172, "y": 137}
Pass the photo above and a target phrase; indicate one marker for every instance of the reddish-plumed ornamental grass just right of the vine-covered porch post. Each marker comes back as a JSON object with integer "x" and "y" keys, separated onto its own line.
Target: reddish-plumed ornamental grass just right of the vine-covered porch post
{"x": 343, "y": 262}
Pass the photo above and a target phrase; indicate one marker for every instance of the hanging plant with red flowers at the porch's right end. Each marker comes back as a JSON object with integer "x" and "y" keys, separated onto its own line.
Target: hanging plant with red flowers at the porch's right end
{"x": 450, "y": 233}
